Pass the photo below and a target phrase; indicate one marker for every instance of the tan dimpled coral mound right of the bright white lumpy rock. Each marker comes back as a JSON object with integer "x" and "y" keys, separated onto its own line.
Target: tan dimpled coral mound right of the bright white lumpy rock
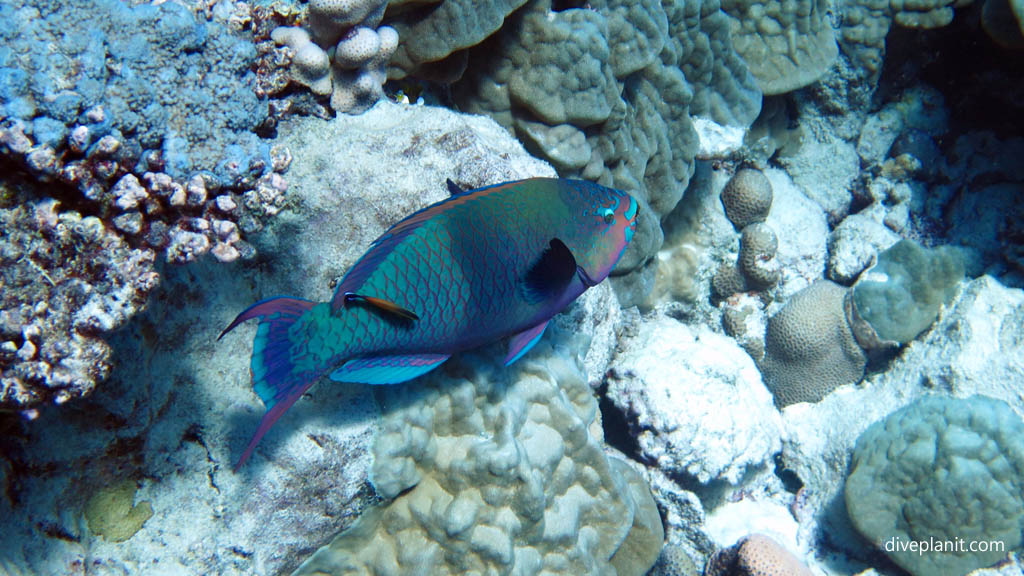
{"x": 809, "y": 347}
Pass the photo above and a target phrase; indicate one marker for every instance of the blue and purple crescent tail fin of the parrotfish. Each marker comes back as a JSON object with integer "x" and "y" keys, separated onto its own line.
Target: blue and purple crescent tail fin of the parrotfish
{"x": 274, "y": 375}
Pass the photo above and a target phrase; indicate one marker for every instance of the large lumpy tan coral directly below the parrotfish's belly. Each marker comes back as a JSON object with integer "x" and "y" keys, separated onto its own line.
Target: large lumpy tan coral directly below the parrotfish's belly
{"x": 497, "y": 472}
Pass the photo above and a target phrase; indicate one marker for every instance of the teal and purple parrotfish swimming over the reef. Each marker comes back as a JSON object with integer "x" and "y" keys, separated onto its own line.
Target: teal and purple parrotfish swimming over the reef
{"x": 481, "y": 266}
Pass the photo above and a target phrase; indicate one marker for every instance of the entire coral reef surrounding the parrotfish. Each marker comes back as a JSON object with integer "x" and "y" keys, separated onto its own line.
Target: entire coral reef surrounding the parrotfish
{"x": 141, "y": 135}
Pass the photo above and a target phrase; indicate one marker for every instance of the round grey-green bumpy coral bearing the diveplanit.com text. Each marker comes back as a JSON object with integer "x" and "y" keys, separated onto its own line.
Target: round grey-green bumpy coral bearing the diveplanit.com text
{"x": 942, "y": 469}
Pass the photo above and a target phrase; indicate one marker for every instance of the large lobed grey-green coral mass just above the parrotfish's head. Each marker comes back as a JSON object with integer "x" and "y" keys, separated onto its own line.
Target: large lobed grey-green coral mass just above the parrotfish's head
{"x": 647, "y": 71}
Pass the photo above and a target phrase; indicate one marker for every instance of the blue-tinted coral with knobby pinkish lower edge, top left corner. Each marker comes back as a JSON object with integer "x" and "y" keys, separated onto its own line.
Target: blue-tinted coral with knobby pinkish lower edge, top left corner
{"x": 186, "y": 175}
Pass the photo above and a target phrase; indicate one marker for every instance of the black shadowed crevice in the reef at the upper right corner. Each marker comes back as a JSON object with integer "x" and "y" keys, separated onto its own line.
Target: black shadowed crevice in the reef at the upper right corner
{"x": 983, "y": 83}
